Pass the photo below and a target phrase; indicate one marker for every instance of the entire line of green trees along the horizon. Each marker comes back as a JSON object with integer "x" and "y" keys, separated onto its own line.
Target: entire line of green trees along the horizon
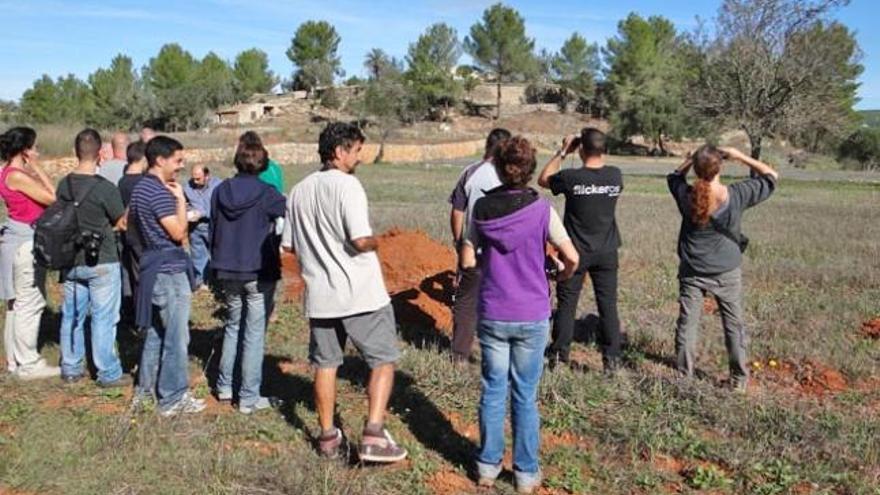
{"x": 781, "y": 69}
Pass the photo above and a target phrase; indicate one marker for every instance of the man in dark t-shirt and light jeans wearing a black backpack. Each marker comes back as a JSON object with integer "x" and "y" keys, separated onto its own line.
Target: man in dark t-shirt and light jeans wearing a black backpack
{"x": 92, "y": 286}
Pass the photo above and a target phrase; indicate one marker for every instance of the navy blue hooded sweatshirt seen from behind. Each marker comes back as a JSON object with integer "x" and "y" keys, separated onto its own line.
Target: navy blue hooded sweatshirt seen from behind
{"x": 243, "y": 213}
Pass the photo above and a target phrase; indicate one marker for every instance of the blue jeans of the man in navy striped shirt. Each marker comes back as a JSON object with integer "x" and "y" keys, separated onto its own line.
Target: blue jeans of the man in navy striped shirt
{"x": 164, "y": 362}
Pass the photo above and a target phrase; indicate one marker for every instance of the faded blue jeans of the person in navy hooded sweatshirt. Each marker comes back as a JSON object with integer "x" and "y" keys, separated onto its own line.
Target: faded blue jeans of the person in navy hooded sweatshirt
{"x": 248, "y": 304}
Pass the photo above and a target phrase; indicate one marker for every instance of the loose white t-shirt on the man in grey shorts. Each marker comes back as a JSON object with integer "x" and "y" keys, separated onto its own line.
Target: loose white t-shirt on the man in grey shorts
{"x": 325, "y": 211}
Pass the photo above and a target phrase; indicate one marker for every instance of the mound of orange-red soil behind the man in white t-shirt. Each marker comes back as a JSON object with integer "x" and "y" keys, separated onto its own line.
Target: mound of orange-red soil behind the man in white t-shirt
{"x": 418, "y": 273}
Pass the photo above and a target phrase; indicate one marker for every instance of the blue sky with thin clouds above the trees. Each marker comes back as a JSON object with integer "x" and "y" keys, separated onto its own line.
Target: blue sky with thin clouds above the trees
{"x": 58, "y": 37}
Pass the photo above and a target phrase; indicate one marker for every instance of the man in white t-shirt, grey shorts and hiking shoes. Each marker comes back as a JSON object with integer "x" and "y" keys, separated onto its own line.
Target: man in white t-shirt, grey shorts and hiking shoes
{"x": 328, "y": 227}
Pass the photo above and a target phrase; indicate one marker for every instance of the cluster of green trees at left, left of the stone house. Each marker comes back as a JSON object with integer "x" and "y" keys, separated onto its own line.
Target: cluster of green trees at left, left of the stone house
{"x": 174, "y": 91}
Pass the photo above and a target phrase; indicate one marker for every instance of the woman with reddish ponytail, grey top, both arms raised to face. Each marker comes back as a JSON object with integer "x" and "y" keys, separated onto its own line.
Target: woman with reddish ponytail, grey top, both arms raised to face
{"x": 710, "y": 247}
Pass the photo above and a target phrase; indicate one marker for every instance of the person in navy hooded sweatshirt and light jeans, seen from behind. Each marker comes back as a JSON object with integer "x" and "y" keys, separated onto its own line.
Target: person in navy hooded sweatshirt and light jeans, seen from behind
{"x": 245, "y": 208}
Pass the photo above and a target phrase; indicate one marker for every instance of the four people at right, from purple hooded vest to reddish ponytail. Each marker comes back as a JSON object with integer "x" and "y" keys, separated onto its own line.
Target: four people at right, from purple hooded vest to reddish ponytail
{"x": 501, "y": 228}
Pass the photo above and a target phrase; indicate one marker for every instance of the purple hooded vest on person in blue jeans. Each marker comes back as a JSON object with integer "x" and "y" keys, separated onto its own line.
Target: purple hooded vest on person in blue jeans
{"x": 514, "y": 286}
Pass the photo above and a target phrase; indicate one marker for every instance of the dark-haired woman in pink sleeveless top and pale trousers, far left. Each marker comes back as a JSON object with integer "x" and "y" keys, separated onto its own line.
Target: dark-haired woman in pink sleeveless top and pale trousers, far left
{"x": 27, "y": 191}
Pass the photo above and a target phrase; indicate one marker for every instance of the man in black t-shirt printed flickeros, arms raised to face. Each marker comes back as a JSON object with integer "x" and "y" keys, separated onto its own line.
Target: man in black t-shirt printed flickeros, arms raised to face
{"x": 591, "y": 193}
